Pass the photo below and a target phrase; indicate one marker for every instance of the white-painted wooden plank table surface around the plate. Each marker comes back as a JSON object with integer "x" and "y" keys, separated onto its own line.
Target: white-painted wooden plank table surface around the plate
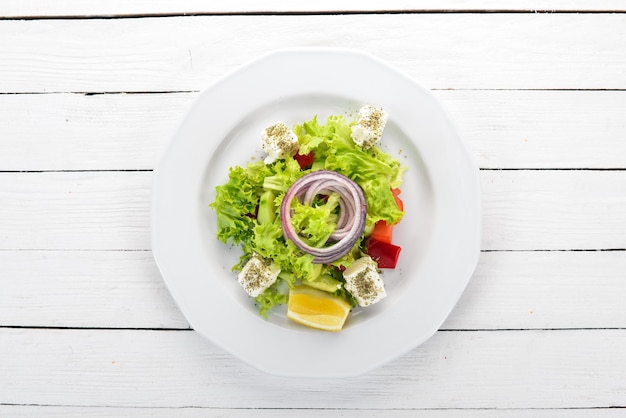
{"x": 90, "y": 94}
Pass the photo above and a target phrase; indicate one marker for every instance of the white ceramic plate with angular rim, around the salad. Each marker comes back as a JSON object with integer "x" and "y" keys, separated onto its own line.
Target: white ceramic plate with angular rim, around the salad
{"x": 439, "y": 236}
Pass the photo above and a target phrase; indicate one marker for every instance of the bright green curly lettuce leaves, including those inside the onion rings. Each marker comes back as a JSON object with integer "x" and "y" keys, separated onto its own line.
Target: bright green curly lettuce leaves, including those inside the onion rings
{"x": 237, "y": 202}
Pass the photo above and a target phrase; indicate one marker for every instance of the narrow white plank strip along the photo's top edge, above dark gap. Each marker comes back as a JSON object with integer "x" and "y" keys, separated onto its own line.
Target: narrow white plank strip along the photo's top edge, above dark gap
{"x": 81, "y": 8}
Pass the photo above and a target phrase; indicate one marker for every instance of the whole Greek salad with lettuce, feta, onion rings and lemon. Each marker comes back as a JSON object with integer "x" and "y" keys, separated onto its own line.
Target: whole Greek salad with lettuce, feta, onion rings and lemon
{"x": 315, "y": 218}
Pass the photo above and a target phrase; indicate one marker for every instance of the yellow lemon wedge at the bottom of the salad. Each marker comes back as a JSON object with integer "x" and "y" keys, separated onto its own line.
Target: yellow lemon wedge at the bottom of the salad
{"x": 317, "y": 309}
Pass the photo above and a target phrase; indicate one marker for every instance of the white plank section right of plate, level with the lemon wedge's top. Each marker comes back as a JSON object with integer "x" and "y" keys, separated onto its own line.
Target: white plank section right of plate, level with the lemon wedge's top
{"x": 544, "y": 290}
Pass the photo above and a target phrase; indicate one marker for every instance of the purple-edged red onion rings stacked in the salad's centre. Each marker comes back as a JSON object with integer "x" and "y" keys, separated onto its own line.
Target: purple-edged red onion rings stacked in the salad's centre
{"x": 352, "y": 207}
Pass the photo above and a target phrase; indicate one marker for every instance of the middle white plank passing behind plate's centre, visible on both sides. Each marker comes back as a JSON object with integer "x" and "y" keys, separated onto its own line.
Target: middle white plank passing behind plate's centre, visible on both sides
{"x": 522, "y": 210}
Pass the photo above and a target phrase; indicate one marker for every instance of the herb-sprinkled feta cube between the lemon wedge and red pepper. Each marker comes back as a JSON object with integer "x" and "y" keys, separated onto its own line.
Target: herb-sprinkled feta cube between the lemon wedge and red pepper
{"x": 363, "y": 281}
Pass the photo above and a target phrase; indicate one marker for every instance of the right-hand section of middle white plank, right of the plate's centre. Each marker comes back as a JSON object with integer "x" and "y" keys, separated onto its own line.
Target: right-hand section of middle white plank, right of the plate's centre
{"x": 554, "y": 210}
